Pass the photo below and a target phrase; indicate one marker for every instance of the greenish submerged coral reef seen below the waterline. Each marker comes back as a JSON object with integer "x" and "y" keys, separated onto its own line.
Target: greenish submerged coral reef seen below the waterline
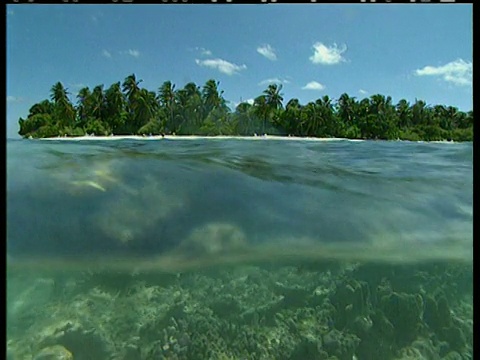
{"x": 341, "y": 312}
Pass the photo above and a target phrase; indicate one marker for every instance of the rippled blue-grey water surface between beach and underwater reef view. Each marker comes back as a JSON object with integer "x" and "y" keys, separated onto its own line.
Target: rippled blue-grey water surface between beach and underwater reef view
{"x": 170, "y": 203}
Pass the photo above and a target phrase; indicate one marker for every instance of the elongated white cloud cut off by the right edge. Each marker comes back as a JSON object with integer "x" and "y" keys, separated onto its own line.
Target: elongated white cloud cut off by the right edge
{"x": 458, "y": 72}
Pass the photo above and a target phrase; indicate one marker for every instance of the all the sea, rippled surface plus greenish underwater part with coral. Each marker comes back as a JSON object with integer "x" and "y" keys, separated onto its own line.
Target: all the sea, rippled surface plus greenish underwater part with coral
{"x": 263, "y": 248}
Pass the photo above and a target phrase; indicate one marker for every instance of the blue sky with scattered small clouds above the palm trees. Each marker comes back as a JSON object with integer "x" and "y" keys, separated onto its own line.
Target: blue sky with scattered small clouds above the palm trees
{"x": 406, "y": 51}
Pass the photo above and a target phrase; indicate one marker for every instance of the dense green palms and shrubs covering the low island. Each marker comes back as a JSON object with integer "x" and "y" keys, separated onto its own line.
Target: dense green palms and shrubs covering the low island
{"x": 126, "y": 108}
